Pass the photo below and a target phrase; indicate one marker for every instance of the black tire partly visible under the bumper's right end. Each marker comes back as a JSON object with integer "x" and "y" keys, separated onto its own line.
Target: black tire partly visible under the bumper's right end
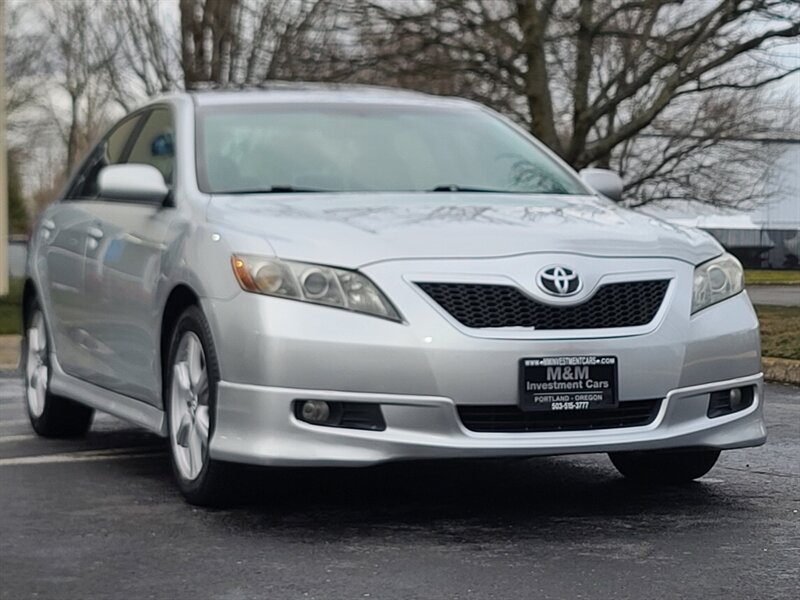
{"x": 664, "y": 467}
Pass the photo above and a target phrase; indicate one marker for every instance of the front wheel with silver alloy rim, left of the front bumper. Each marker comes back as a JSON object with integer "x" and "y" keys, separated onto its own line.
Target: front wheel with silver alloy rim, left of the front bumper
{"x": 190, "y": 395}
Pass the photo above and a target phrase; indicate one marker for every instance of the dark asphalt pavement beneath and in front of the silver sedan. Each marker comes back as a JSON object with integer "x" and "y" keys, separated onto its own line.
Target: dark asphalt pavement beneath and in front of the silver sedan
{"x": 100, "y": 518}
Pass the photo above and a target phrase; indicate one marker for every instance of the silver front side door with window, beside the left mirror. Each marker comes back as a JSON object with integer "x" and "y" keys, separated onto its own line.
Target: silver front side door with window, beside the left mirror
{"x": 123, "y": 266}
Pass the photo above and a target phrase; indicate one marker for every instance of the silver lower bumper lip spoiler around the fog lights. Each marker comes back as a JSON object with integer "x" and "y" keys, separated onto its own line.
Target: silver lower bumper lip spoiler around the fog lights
{"x": 256, "y": 425}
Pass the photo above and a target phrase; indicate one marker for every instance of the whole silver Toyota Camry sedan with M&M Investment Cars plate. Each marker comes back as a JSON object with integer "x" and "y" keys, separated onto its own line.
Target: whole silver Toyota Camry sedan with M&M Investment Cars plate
{"x": 346, "y": 276}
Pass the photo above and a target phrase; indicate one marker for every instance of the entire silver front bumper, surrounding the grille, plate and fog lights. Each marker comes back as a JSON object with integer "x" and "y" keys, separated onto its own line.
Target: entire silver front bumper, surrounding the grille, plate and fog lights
{"x": 274, "y": 351}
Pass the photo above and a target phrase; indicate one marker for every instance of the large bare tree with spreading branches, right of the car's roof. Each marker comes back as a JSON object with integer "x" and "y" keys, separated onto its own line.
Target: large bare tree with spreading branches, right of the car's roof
{"x": 587, "y": 77}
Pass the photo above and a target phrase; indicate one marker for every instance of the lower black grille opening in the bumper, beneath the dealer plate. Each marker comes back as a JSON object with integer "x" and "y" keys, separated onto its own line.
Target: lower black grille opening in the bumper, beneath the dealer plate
{"x": 512, "y": 419}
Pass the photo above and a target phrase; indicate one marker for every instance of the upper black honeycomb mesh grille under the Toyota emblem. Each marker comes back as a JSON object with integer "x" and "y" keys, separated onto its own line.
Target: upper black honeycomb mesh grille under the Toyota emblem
{"x": 477, "y": 305}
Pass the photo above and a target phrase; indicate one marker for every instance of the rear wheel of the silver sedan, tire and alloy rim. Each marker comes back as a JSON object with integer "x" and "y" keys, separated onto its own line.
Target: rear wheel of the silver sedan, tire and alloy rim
{"x": 50, "y": 415}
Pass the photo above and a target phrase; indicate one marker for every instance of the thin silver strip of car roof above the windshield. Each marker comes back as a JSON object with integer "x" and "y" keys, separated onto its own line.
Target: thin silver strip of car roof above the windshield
{"x": 295, "y": 92}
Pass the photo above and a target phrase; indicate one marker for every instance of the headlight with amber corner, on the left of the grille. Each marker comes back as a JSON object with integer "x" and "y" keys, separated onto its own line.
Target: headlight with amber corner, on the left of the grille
{"x": 312, "y": 283}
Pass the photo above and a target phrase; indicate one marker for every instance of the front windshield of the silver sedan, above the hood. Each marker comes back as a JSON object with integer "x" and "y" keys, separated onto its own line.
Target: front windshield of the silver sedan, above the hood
{"x": 369, "y": 148}
